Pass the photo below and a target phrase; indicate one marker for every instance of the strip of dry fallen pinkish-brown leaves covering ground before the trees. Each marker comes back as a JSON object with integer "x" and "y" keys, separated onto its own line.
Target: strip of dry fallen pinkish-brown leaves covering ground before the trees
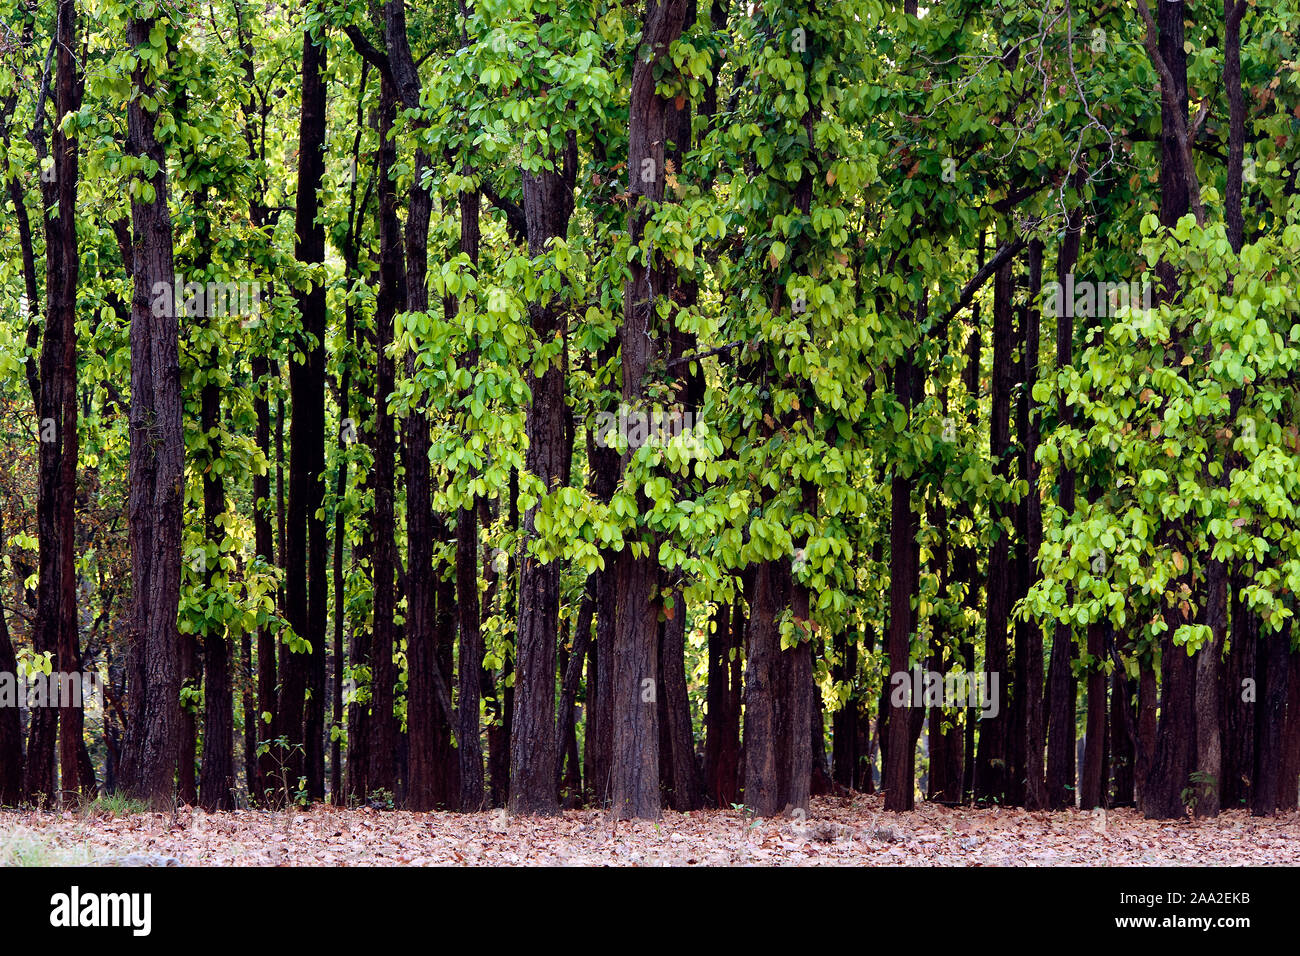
{"x": 838, "y": 832}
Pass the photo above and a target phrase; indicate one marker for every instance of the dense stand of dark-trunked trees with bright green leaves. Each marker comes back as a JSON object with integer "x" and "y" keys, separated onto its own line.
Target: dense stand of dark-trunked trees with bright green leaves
{"x": 651, "y": 406}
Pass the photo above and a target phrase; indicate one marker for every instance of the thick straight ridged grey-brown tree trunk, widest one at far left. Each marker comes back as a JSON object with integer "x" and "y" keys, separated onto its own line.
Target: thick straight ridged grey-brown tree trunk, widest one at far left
{"x": 158, "y": 466}
